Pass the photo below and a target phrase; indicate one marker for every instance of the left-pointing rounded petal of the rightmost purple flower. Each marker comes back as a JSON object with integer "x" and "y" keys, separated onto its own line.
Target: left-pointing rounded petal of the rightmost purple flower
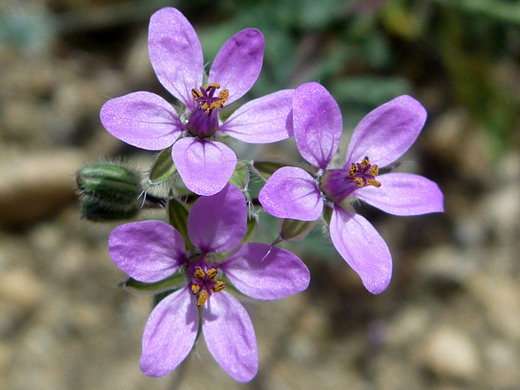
{"x": 292, "y": 193}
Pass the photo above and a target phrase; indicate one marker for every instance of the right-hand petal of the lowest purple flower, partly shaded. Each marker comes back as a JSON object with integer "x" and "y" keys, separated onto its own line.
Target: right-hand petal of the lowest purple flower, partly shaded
{"x": 262, "y": 271}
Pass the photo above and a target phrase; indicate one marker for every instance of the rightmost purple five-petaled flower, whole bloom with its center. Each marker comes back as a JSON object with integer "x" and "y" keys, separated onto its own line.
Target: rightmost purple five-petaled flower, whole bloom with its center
{"x": 383, "y": 136}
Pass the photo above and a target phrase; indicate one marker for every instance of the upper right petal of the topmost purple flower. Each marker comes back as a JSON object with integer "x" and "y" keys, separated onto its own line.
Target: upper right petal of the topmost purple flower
{"x": 238, "y": 63}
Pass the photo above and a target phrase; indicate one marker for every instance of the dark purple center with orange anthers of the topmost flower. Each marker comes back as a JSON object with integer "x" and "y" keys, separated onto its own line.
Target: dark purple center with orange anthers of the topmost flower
{"x": 204, "y": 119}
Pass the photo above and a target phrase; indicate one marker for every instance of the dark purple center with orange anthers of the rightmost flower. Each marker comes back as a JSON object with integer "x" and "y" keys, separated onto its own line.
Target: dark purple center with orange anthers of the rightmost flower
{"x": 337, "y": 184}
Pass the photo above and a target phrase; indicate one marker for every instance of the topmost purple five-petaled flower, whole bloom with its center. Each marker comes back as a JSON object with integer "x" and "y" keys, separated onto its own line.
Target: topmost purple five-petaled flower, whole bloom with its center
{"x": 147, "y": 121}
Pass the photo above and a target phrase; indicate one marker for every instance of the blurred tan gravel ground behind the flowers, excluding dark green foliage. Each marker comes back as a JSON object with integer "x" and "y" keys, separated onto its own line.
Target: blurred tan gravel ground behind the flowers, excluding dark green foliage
{"x": 449, "y": 320}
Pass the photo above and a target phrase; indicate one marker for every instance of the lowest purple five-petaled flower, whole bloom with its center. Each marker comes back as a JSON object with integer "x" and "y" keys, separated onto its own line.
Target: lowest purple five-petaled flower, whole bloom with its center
{"x": 150, "y": 251}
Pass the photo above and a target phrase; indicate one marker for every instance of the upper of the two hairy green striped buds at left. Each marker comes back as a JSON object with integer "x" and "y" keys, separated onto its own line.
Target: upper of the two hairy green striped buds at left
{"x": 110, "y": 183}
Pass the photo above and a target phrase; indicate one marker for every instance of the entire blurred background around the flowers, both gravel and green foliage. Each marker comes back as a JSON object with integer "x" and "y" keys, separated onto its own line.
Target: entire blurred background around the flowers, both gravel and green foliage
{"x": 451, "y": 316}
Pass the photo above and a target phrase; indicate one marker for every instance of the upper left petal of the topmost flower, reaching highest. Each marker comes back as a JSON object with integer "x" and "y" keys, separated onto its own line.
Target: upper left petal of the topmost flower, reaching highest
{"x": 176, "y": 54}
